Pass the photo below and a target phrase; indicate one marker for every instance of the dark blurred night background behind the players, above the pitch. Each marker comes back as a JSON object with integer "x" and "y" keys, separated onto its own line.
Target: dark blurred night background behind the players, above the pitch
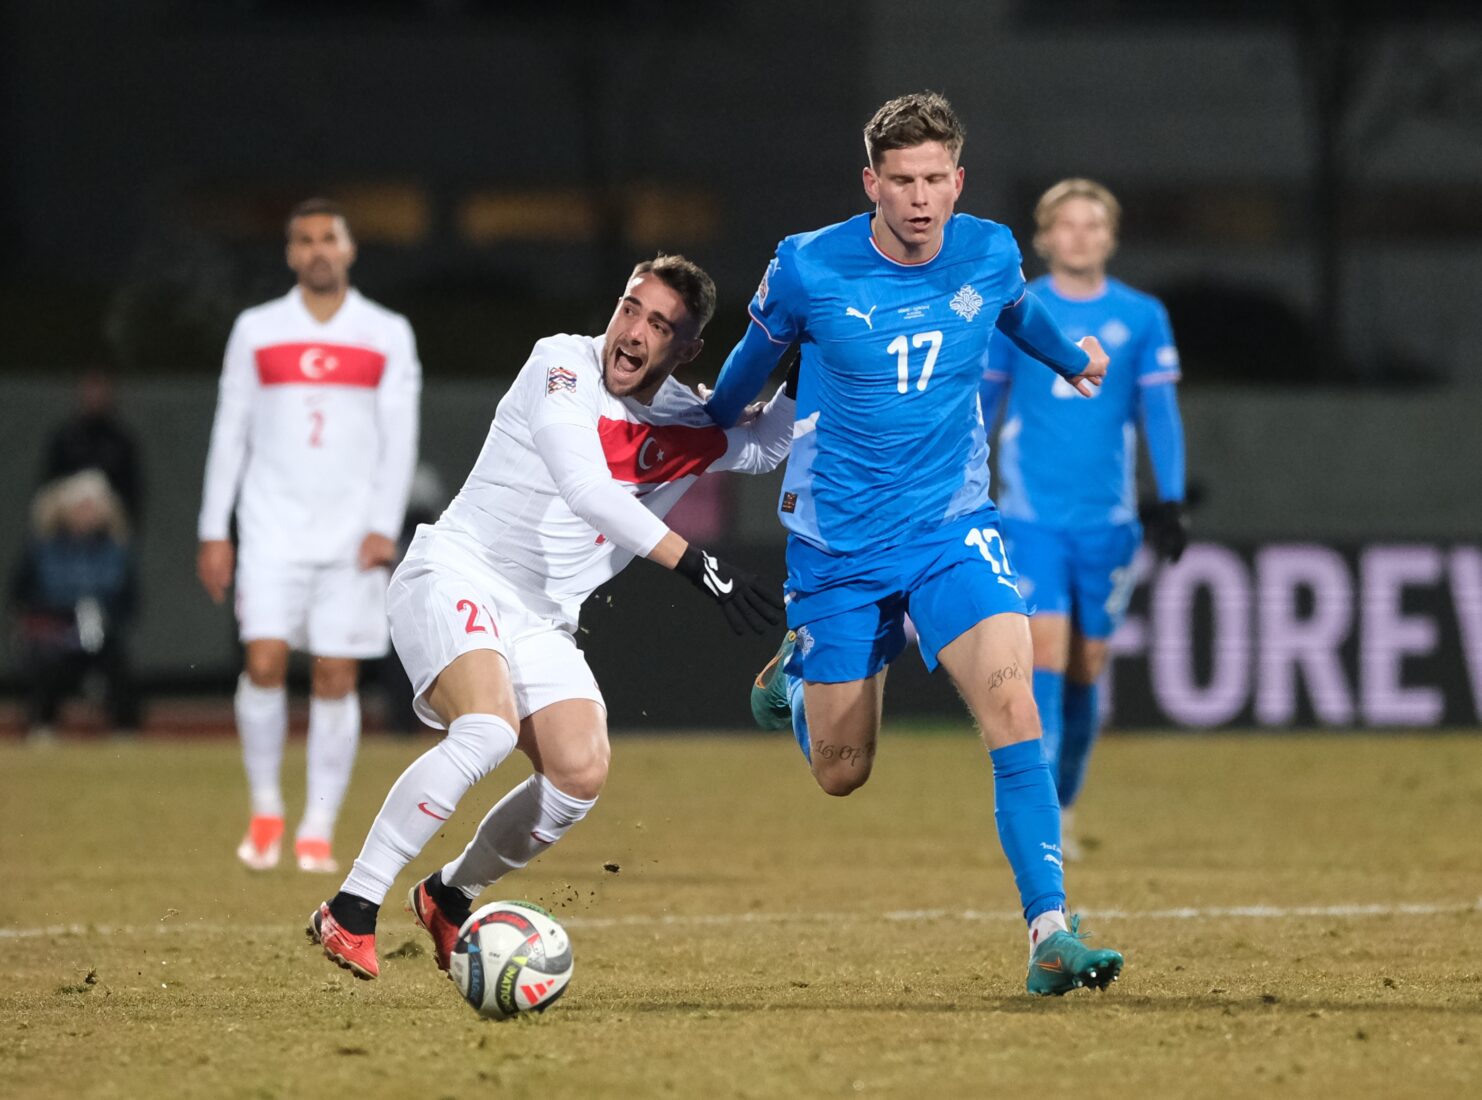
{"x": 1302, "y": 185}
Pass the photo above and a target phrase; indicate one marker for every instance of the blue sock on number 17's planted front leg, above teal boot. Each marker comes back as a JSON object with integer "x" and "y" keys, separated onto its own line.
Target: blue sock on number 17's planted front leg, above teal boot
{"x": 1028, "y": 815}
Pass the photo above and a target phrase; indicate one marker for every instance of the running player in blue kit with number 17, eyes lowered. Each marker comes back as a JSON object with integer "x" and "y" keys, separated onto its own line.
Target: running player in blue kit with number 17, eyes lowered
{"x": 887, "y": 490}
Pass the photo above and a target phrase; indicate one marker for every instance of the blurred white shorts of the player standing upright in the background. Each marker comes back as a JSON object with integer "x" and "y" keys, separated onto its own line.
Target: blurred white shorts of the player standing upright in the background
{"x": 325, "y": 610}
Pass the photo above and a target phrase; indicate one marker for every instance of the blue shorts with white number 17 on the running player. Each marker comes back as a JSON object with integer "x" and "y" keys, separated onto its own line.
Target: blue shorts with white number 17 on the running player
{"x": 948, "y": 582}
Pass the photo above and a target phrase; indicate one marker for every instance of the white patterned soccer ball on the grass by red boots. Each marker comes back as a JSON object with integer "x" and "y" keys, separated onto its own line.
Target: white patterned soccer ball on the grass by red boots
{"x": 511, "y": 958}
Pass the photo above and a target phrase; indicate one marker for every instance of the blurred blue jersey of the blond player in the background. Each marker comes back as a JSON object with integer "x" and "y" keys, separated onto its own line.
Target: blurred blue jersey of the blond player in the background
{"x": 1069, "y": 462}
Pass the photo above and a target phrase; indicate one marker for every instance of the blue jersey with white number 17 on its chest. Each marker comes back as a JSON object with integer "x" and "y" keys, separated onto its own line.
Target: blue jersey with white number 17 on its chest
{"x": 890, "y": 441}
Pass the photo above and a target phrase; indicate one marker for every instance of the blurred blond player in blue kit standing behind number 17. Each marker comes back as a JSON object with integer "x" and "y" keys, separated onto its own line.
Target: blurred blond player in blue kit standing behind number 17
{"x": 1068, "y": 469}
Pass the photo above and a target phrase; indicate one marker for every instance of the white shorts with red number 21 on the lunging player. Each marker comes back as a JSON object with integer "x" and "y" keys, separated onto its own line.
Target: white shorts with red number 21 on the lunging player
{"x": 444, "y": 603}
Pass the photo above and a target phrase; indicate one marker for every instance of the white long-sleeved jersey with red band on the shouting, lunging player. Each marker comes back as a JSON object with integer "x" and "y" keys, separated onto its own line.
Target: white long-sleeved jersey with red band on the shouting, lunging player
{"x": 515, "y": 517}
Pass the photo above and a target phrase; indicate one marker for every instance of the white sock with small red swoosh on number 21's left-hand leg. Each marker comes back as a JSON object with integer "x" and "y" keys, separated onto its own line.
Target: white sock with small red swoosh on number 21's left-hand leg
{"x": 425, "y": 798}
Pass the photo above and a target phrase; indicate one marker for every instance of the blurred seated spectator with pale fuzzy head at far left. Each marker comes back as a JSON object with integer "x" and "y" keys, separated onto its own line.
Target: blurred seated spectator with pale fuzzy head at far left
{"x": 75, "y": 597}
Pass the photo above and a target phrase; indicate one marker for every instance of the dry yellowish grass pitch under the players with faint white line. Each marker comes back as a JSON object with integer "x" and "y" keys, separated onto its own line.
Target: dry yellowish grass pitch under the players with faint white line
{"x": 1300, "y": 918}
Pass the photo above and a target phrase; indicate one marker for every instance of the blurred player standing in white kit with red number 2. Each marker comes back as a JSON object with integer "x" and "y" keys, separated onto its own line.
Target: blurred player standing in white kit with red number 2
{"x": 313, "y": 444}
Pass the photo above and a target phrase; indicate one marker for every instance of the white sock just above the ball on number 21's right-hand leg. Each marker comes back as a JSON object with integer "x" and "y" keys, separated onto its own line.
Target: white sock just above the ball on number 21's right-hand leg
{"x": 525, "y": 824}
